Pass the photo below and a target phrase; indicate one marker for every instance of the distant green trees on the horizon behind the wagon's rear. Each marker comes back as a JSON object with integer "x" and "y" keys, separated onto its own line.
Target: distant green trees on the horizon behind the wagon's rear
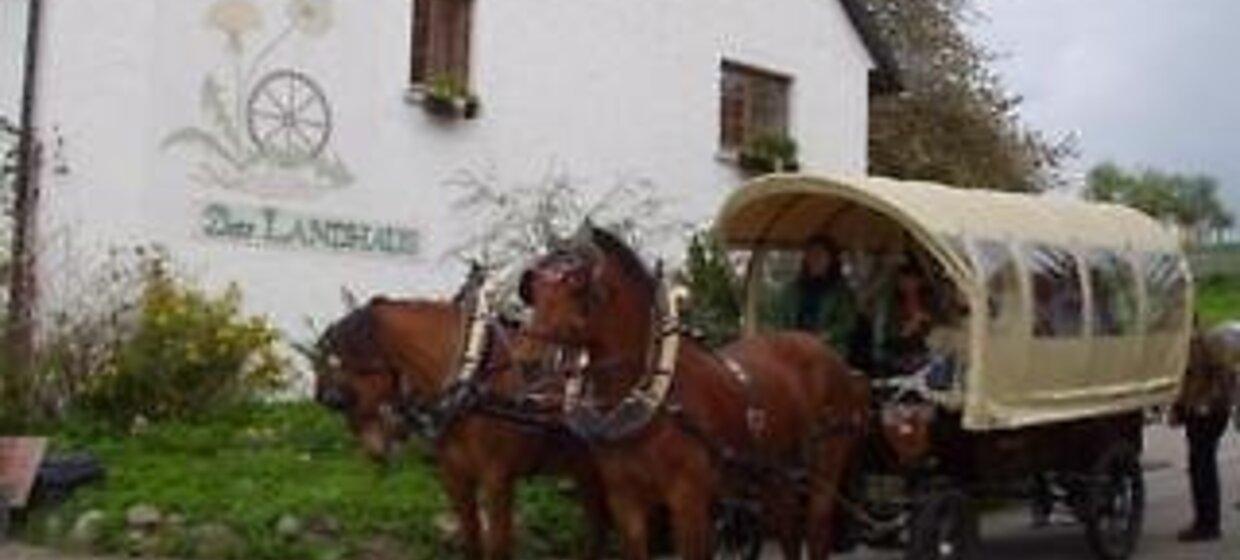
{"x": 1190, "y": 201}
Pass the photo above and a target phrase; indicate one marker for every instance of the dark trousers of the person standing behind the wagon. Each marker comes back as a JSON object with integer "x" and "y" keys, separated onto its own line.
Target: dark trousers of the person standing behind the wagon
{"x": 1203, "y": 434}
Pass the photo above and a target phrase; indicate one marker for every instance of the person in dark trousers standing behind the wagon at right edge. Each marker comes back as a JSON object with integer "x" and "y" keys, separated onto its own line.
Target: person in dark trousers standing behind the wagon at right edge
{"x": 1203, "y": 408}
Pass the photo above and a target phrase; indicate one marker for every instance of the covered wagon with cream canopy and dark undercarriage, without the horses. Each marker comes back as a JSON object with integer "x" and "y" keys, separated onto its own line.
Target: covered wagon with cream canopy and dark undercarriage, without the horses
{"x": 1058, "y": 324}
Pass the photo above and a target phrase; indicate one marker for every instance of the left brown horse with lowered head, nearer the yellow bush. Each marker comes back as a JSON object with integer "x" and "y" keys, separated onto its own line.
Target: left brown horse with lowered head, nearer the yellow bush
{"x": 390, "y": 365}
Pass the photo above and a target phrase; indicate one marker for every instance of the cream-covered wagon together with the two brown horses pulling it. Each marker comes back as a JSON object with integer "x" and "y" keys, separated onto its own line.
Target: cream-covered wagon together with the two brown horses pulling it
{"x": 1056, "y": 325}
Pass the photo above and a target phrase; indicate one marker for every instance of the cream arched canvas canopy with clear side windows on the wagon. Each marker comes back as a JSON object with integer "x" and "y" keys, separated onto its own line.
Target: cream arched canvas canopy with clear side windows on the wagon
{"x": 1077, "y": 309}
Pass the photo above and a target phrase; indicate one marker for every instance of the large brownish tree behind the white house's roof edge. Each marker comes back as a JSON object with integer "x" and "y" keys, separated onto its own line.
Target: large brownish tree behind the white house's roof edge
{"x": 954, "y": 122}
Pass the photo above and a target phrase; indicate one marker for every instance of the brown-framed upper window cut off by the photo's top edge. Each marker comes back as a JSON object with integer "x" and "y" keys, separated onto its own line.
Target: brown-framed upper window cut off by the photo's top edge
{"x": 441, "y": 42}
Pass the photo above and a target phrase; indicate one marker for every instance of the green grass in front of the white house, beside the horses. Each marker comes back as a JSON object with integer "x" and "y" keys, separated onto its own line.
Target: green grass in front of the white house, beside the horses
{"x": 249, "y": 468}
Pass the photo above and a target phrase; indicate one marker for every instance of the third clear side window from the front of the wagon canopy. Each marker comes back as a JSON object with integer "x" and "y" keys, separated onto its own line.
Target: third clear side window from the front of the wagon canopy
{"x": 1114, "y": 286}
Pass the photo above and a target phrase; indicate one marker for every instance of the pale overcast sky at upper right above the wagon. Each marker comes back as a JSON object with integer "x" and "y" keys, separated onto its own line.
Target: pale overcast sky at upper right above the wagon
{"x": 1141, "y": 82}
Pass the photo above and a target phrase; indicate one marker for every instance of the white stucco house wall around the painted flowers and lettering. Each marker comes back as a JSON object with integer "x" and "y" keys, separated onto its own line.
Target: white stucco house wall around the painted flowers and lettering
{"x": 600, "y": 89}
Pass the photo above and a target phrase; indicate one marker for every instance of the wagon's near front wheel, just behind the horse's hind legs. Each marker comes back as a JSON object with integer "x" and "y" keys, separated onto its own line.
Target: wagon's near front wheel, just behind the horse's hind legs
{"x": 943, "y": 527}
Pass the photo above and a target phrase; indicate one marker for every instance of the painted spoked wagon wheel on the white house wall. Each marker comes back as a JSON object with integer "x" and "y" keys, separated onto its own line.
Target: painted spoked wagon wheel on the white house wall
{"x": 288, "y": 117}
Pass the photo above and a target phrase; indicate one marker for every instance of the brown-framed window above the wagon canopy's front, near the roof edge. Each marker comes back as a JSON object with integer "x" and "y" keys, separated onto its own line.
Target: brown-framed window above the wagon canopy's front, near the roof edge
{"x": 753, "y": 103}
